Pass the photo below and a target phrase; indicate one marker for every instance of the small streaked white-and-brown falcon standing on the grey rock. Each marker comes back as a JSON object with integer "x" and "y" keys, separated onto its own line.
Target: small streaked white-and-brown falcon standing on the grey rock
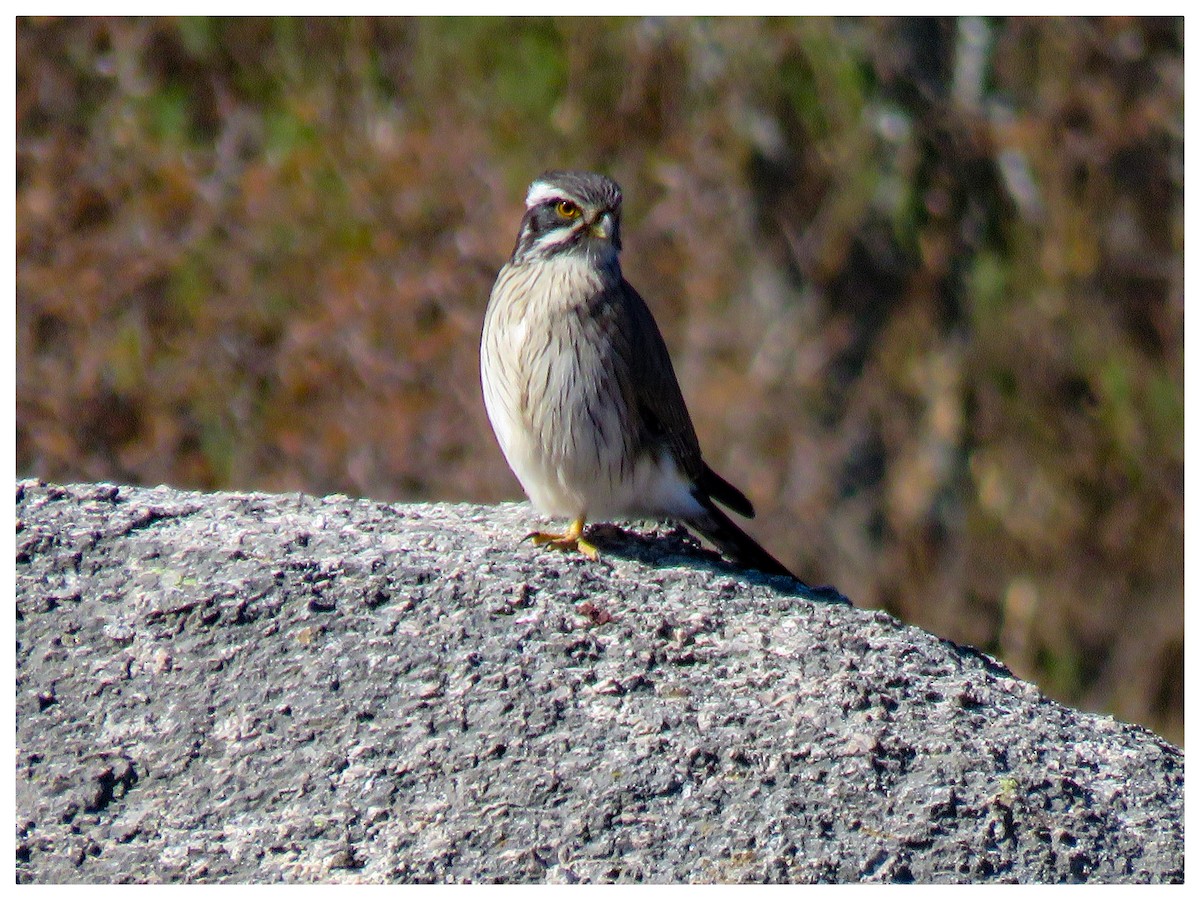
{"x": 579, "y": 386}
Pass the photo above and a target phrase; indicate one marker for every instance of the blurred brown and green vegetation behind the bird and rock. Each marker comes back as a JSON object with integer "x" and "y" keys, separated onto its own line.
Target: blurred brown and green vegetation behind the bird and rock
{"x": 922, "y": 281}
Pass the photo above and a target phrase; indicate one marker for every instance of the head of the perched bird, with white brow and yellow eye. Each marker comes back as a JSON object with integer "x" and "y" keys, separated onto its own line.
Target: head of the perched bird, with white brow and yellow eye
{"x": 575, "y": 213}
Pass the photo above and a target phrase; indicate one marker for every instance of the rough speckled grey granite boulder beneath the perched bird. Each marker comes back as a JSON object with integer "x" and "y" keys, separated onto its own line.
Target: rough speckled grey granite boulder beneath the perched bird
{"x": 285, "y": 688}
